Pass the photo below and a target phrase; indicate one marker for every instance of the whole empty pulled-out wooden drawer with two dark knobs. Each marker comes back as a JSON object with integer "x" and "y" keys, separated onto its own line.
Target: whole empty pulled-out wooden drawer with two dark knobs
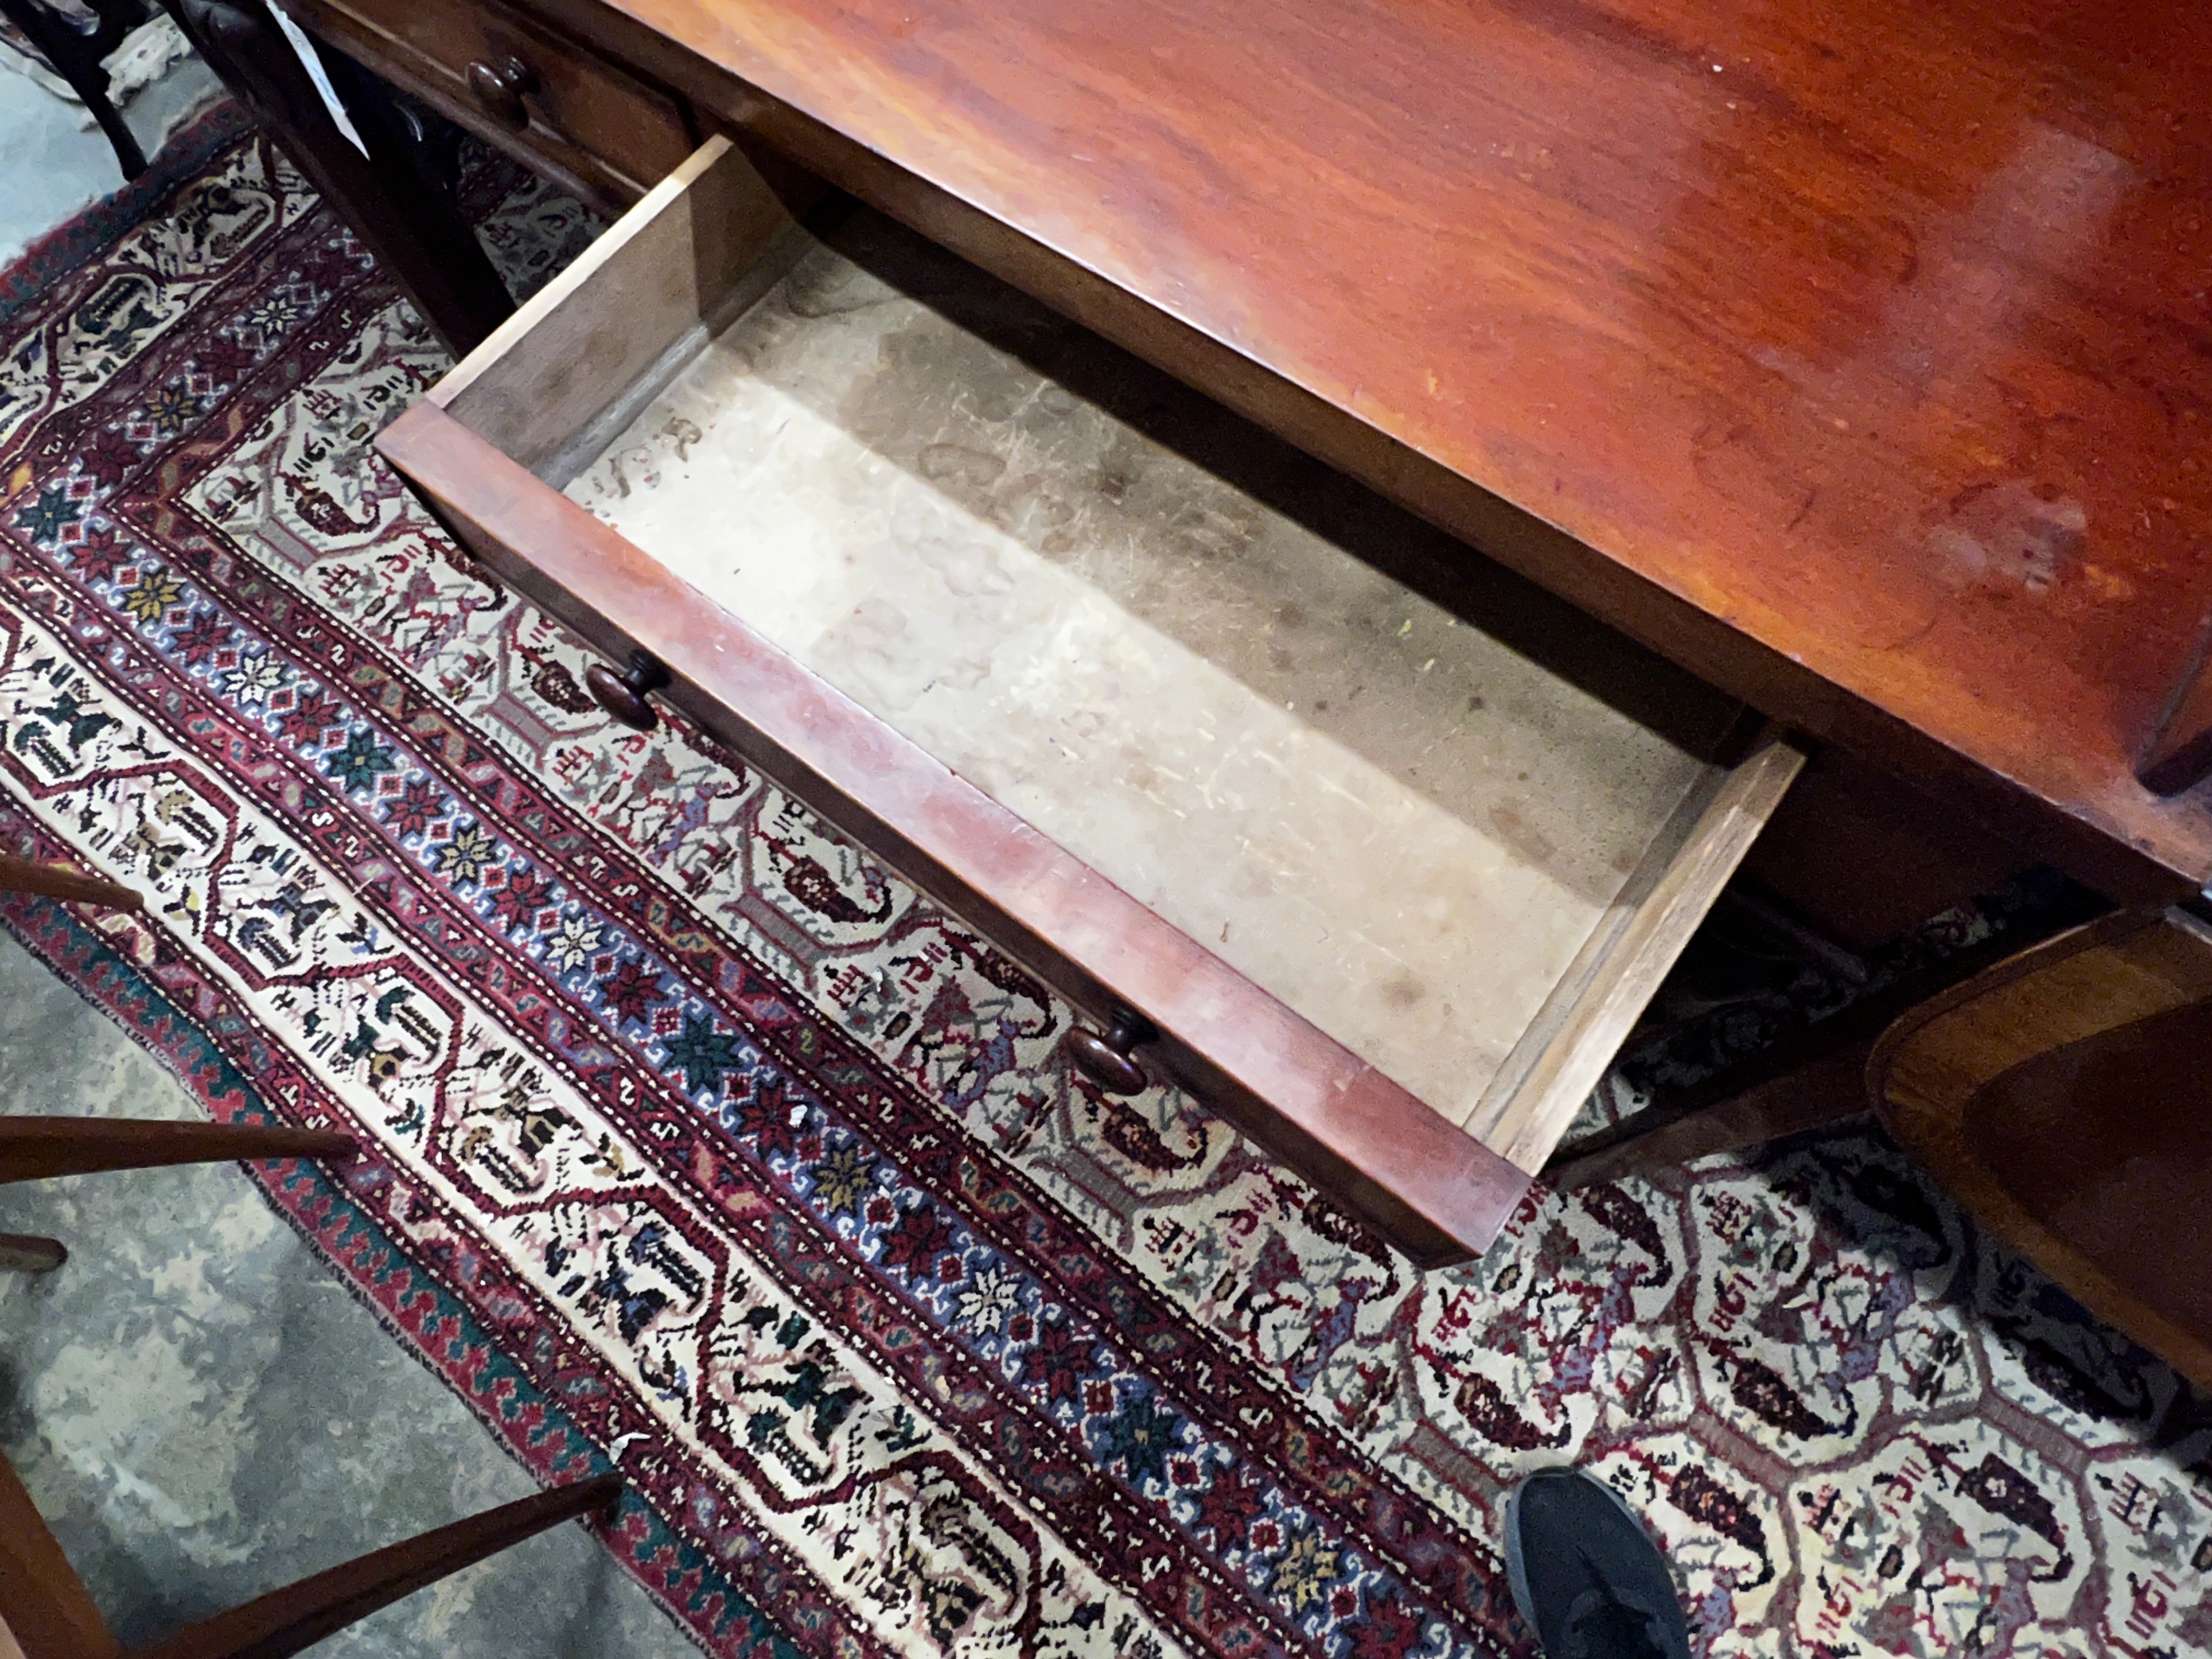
{"x": 1377, "y": 886}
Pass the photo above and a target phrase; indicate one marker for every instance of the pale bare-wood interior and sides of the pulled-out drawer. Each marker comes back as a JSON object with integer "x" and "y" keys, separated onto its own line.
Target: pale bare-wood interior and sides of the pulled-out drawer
{"x": 1211, "y": 669}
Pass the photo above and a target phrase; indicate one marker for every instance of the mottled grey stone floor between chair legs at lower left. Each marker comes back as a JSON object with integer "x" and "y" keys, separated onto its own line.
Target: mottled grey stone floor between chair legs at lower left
{"x": 202, "y": 1412}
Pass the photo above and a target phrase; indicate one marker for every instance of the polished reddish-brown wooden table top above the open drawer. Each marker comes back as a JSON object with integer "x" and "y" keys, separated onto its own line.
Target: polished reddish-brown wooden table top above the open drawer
{"x": 1877, "y": 328}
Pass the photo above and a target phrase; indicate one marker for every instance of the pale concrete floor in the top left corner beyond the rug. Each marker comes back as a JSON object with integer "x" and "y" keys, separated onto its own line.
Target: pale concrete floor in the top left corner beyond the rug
{"x": 52, "y": 169}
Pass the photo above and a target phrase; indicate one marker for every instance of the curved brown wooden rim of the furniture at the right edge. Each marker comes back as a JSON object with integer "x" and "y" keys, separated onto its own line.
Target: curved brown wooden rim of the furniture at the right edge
{"x": 1923, "y": 1103}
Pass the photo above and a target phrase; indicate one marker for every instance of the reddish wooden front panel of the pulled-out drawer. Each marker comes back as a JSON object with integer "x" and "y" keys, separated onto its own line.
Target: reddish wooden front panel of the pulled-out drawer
{"x": 1368, "y": 1142}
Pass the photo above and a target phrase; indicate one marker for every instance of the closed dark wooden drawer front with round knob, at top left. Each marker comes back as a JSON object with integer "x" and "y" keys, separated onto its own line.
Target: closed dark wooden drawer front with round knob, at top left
{"x": 523, "y": 87}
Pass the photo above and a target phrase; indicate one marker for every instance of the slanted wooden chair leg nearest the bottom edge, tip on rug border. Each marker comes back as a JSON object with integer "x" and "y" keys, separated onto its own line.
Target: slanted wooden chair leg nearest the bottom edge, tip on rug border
{"x": 304, "y": 1614}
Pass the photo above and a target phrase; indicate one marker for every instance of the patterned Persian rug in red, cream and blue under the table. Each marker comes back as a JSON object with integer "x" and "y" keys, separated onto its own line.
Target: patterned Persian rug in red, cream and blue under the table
{"x": 709, "y": 1151}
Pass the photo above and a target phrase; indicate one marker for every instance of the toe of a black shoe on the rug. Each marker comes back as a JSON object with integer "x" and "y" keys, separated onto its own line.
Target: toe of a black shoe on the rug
{"x": 1587, "y": 1578}
